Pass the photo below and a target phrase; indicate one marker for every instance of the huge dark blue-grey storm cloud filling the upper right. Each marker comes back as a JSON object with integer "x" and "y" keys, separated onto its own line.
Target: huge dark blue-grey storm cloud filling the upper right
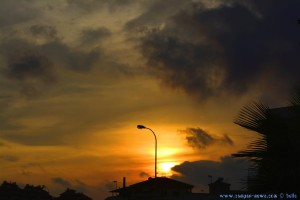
{"x": 208, "y": 52}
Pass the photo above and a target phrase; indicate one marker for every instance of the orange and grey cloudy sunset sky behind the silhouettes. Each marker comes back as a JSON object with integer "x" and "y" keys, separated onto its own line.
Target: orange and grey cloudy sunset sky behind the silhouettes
{"x": 78, "y": 76}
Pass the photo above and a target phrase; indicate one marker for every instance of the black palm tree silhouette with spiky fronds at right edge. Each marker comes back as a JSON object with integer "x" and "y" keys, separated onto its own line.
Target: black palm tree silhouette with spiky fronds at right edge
{"x": 275, "y": 154}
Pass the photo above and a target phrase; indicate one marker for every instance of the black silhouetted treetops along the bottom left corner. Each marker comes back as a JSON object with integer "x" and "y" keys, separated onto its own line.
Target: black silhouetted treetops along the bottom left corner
{"x": 11, "y": 191}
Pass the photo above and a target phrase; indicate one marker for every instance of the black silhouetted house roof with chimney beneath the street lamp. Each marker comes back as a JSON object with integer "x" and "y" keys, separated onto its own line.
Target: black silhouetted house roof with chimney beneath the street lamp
{"x": 162, "y": 188}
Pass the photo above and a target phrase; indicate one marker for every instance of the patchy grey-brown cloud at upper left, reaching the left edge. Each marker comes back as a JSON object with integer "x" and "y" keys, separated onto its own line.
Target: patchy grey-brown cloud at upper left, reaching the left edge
{"x": 28, "y": 59}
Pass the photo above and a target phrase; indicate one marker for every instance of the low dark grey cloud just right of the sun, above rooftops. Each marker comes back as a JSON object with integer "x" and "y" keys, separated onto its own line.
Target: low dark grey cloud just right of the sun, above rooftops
{"x": 233, "y": 170}
